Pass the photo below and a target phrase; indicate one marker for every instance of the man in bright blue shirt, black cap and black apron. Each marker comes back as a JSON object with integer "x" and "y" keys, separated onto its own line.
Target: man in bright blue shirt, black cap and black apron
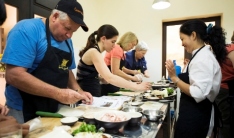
{"x": 39, "y": 60}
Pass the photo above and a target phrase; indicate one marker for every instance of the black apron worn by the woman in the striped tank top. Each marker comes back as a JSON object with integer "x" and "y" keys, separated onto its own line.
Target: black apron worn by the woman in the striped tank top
{"x": 91, "y": 80}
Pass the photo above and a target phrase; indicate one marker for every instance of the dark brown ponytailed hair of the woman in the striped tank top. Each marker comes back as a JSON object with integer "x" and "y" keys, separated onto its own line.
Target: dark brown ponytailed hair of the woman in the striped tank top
{"x": 106, "y": 30}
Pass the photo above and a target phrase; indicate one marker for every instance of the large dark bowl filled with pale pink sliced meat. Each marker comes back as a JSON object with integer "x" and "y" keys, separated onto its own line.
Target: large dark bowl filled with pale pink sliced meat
{"x": 112, "y": 120}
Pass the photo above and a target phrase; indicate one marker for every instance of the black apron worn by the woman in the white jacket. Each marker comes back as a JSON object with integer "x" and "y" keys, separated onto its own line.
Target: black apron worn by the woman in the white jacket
{"x": 194, "y": 118}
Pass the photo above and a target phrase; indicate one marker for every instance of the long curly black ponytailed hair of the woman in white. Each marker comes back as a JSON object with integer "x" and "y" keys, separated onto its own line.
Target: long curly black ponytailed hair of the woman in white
{"x": 214, "y": 36}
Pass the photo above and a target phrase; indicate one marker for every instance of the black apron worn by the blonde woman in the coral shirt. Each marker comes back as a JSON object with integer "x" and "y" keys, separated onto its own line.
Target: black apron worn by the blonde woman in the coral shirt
{"x": 109, "y": 88}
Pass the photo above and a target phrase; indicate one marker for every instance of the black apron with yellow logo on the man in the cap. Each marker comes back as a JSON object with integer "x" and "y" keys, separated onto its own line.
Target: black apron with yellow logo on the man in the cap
{"x": 53, "y": 69}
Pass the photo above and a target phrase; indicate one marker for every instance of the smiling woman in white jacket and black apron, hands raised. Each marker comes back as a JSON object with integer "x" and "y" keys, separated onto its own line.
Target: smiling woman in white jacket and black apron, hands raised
{"x": 200, "y": 83}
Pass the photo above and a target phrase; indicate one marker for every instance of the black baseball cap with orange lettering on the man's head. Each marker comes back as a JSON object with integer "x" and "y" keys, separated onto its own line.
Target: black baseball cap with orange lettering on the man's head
{"x": 74, "y": 10}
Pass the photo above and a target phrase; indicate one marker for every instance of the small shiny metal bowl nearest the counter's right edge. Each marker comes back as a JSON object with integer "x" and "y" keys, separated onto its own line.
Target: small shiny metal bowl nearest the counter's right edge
{"x": 153, "y": 115}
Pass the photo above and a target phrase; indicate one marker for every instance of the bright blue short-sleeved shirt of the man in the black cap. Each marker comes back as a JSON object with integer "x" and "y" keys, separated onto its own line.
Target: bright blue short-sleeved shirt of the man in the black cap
{"x": 26, "y": 46}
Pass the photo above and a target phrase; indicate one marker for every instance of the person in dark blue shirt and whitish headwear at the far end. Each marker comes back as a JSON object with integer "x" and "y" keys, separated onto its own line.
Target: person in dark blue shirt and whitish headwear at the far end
{"x": 135, "y": 62}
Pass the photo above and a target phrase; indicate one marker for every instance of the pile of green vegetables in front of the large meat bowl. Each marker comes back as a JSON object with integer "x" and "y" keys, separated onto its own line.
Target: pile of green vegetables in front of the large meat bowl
{"x": 85, "y": 128}
